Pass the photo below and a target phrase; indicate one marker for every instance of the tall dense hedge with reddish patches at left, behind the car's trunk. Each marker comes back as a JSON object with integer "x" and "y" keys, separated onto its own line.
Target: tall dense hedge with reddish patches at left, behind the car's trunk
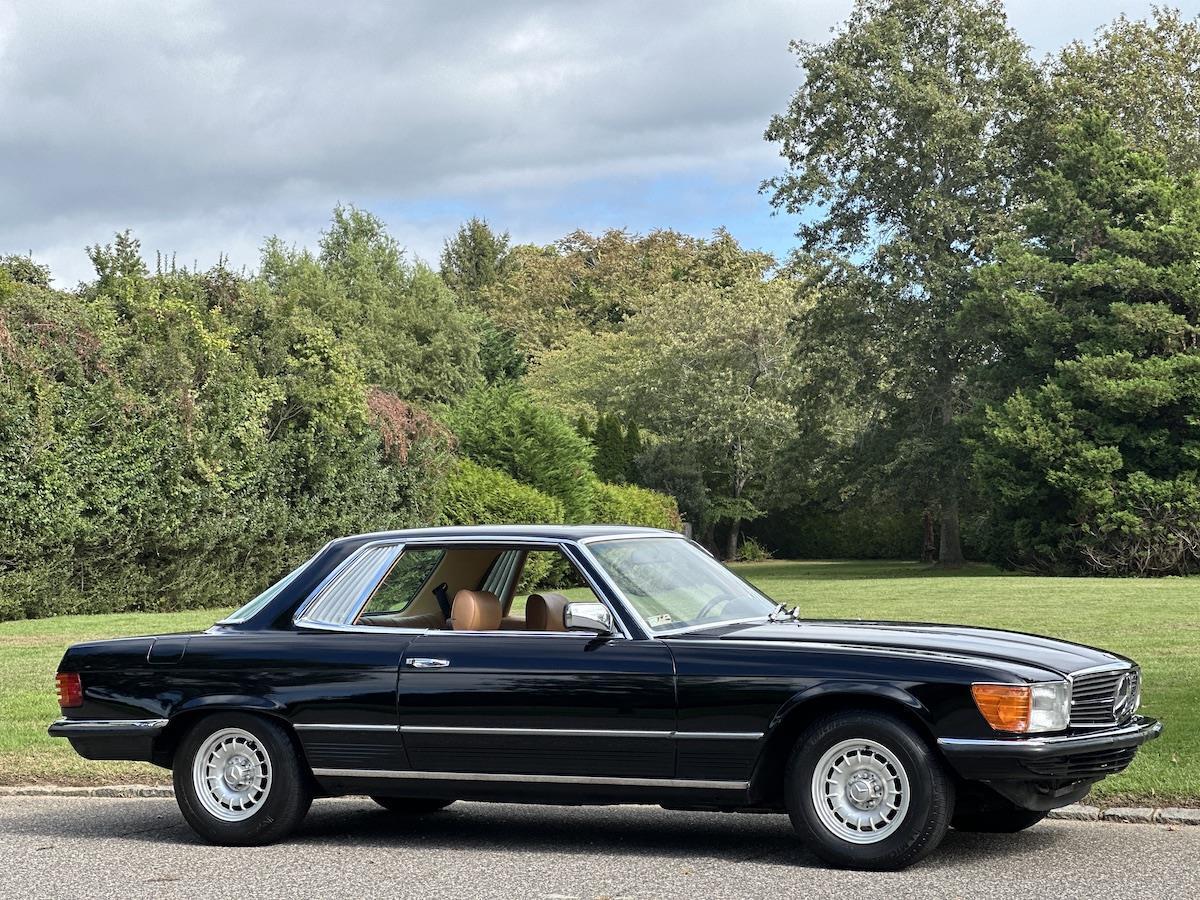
{"x": 181, "y": 441}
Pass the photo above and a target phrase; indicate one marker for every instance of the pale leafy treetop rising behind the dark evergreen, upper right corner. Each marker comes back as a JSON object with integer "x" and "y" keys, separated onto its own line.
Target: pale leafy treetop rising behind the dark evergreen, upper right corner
{"x": 1144, "y": 75}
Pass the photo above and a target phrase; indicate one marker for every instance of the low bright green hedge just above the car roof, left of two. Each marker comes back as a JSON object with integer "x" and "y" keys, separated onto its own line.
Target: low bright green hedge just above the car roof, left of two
{"x": 476, "y": 495}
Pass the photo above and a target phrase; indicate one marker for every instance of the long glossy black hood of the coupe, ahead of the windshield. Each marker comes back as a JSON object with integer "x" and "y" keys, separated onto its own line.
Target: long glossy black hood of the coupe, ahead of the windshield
{"x": 992, "y": 645}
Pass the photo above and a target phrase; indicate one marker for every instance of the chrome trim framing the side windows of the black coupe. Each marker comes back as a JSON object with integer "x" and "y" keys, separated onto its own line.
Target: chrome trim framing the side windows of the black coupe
{"x": 302, "y": 619}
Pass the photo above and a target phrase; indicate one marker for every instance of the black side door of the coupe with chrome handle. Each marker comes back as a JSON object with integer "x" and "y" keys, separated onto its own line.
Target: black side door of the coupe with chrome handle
{"x": 538, "y": 704}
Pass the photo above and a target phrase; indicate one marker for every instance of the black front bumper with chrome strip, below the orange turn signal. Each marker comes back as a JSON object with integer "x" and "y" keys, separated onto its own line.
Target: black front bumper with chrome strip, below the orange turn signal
{"x": 1070, "y": 758}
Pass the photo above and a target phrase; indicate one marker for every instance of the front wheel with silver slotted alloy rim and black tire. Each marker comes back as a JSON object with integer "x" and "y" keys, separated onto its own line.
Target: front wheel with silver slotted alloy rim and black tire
{"x": 867, "y": 793}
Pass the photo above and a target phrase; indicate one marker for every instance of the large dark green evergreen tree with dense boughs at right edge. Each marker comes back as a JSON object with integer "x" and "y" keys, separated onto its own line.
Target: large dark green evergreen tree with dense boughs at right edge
{"x": 1090, "y": 465}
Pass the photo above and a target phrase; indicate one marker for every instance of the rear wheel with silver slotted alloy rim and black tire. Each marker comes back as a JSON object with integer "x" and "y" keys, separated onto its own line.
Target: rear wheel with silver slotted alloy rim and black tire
{"x": 239, "y": 781}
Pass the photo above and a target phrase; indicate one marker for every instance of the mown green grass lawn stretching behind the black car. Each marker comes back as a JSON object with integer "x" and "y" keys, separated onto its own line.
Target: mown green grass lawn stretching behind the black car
{"x": 1154, "y": 621}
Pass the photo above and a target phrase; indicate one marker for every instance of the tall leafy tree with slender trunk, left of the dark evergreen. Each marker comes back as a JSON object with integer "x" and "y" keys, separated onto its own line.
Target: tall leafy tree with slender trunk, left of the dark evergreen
{"x": 908, "y": 145}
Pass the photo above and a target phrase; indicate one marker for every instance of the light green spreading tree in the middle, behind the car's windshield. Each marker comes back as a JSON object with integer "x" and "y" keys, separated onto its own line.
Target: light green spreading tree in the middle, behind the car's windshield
{"x": 711, "y": 368}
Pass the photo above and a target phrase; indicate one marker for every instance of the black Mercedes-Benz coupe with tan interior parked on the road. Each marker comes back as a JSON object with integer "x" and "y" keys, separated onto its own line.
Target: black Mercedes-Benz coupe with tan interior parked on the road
{"x": 598, "y": 665}
